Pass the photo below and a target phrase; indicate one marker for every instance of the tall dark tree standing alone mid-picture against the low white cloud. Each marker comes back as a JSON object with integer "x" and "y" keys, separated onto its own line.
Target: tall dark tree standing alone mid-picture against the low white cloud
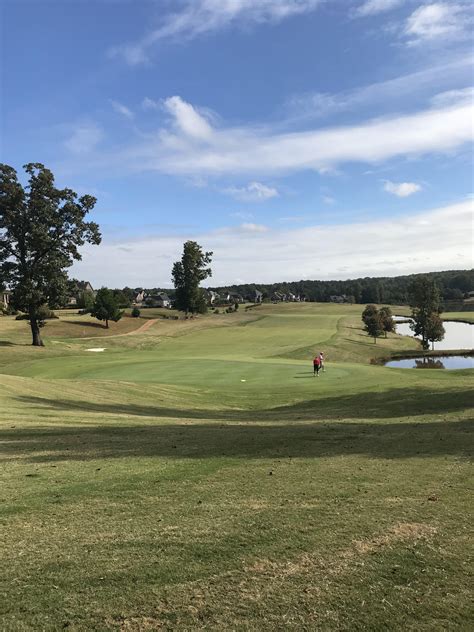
{"x": 187, "y": 275}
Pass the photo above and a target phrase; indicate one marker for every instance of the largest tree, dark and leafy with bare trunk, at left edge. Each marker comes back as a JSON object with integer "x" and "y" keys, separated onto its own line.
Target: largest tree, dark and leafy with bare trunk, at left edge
{"x": 41, "y": 230}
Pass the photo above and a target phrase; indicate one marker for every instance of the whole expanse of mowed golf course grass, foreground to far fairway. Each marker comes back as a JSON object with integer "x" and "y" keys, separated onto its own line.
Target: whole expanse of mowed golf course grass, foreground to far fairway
{"x": 195, "y": 475}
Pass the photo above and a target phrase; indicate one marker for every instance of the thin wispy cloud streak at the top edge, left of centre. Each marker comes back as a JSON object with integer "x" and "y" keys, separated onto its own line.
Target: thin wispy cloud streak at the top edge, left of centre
{"x": 198, "y": 17}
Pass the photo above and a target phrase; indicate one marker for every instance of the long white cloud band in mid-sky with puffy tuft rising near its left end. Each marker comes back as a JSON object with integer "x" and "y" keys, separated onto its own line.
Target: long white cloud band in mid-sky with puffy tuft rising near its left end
{"x": 194, "y": 147}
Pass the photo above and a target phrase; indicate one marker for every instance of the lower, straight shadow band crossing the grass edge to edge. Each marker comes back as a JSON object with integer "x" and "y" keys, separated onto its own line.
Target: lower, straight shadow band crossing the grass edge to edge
{"x": 313, "y": 440}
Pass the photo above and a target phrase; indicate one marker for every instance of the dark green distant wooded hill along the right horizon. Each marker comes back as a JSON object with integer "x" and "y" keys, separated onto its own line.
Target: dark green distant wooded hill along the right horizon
{"x": 454, "y": 285}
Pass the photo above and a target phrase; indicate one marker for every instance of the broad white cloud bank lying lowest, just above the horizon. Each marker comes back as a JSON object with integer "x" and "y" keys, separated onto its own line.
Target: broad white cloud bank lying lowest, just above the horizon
{"x": 391, "y": 246}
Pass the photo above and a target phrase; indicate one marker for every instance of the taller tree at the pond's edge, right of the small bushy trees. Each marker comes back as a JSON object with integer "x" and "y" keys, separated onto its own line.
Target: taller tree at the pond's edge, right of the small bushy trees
{"x": 425, "y": 301}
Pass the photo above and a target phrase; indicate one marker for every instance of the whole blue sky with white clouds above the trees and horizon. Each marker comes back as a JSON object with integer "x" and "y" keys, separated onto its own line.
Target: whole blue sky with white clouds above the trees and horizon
{"x": 296, "y": 139}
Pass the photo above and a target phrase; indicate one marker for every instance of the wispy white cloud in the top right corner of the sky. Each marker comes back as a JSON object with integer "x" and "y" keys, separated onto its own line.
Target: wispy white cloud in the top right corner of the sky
{"x": 439, "y": 21}
